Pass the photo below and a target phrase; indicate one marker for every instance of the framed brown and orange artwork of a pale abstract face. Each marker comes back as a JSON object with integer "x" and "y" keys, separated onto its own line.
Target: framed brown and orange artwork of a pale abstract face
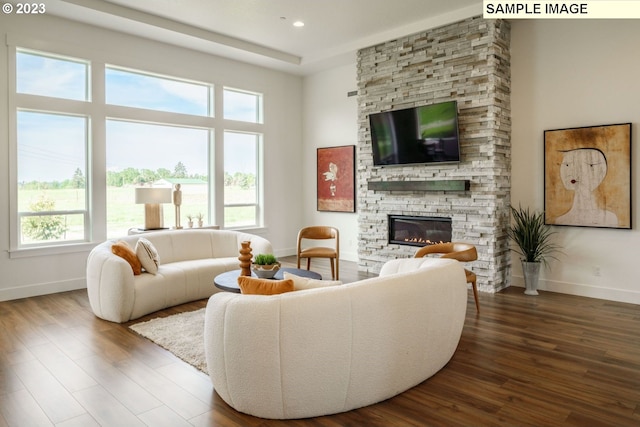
{"x": 587, "y": 177}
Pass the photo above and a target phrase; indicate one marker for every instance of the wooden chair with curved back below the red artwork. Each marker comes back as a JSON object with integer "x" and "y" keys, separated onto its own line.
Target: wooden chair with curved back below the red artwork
{"x": 331, "y": 252}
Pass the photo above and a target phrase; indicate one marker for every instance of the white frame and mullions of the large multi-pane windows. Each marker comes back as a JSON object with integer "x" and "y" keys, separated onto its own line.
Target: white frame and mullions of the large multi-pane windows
{"x": 97, "y": 111}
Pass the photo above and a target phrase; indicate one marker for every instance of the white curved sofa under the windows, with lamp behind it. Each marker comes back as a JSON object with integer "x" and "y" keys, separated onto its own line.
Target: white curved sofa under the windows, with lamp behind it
{"x": 189, "y": 261}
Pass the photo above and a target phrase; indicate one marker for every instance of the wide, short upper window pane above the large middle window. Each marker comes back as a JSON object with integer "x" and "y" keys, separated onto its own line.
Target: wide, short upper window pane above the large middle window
{"x": 135, "y": 89}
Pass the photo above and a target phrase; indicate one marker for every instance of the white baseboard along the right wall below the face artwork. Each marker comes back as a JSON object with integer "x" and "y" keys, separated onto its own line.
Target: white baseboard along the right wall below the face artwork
{"x": 590, "y": 291}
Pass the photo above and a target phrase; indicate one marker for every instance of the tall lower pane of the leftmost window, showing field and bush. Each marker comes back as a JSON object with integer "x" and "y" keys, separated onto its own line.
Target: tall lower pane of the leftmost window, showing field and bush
{"x": 52, "y": 198}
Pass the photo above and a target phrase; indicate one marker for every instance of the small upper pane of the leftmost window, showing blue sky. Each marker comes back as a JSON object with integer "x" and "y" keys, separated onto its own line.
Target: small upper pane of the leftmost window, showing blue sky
{"x": 39, "y": 74}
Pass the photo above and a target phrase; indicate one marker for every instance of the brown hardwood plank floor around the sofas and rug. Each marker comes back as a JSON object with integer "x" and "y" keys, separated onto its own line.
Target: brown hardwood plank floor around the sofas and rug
{"x": 548, "y": 360}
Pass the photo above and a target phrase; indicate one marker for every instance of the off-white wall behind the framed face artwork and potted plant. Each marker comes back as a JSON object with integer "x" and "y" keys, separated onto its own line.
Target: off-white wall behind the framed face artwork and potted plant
{"x": 572, "y": 73}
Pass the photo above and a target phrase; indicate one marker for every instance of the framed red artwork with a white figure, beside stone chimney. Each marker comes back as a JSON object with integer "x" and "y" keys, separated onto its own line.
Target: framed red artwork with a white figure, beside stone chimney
{"x": 336, "y": 179}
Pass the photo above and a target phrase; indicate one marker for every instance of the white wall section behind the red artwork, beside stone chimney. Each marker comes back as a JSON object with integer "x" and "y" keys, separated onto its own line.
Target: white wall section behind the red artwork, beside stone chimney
{"x": 330, "y": 119}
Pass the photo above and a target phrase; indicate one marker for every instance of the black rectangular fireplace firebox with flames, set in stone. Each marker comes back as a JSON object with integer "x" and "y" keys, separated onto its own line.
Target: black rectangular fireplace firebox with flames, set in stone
{"x": 419, "y": 230}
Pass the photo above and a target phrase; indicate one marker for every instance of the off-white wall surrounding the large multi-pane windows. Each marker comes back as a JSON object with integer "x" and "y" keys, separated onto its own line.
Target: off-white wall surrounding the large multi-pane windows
{"x": 40, "y": 274}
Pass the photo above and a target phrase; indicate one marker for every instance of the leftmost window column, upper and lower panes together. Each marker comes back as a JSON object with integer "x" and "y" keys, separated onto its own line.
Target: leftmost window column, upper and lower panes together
{"x": 51, "y": 148}
